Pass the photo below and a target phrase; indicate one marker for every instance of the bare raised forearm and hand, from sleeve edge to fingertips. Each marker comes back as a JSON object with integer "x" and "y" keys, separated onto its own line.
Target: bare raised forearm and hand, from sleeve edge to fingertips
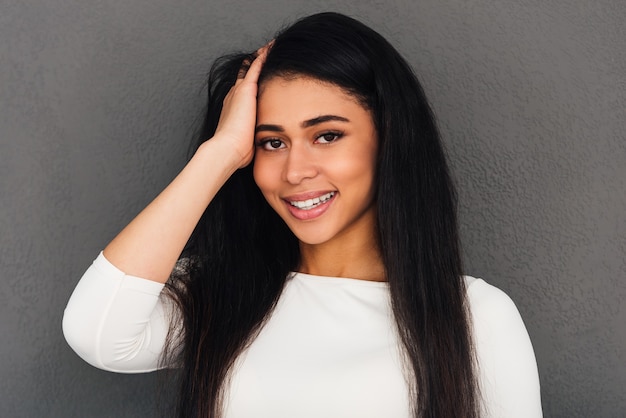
{"x": 149, "y": 246}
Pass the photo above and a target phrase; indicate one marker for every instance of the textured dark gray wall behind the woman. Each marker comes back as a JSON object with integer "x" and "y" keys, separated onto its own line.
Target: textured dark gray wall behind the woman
{"x": 97, "y": 101}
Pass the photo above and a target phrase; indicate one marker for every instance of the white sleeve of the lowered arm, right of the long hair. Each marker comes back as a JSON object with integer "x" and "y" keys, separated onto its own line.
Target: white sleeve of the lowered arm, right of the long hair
{"x": 506, "y": 361}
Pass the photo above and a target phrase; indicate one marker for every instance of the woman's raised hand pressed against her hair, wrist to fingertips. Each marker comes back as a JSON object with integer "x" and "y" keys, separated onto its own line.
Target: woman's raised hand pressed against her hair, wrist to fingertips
{"x": 237, "y": 120}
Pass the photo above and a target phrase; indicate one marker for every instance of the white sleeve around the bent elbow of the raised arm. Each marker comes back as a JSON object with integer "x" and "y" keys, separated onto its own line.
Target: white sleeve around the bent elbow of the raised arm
{"x": 117, "y": 322}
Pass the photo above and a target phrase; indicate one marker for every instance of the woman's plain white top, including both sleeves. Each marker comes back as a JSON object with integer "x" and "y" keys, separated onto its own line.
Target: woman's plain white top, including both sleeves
{"x": 329, "y": 348}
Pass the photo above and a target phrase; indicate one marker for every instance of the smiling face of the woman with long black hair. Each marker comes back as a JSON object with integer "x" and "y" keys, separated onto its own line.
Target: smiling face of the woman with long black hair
{"x": 315, "y": 159}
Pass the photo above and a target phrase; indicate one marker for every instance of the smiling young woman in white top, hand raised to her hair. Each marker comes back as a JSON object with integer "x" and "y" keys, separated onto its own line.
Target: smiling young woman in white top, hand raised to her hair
{"x": 320, "y": 272}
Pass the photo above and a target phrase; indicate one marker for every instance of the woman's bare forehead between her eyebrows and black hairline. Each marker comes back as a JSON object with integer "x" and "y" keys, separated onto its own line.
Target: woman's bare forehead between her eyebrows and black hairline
{"x": 304, "y": 97}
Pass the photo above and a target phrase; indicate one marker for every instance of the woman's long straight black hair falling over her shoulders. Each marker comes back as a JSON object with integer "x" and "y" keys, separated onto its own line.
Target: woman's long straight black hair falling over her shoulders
{"x": 241, "y": 251}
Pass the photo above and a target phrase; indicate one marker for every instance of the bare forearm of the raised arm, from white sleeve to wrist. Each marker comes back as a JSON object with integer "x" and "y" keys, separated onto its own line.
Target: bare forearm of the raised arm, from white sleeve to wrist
{"x": 150, "y": 244}
